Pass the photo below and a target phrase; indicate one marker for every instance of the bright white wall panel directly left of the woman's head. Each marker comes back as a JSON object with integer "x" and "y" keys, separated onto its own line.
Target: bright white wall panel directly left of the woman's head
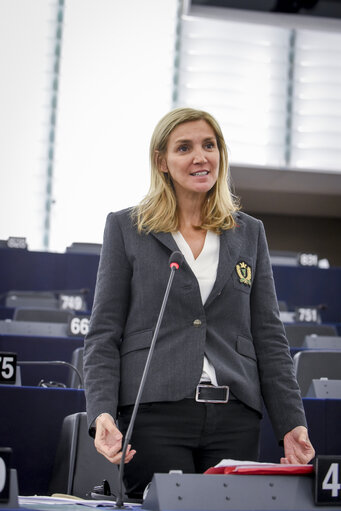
{"x": 116, "y": 82}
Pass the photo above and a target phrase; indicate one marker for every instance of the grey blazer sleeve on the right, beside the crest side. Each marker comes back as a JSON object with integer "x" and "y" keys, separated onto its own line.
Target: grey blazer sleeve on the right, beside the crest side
{"x": 279, "y": 386}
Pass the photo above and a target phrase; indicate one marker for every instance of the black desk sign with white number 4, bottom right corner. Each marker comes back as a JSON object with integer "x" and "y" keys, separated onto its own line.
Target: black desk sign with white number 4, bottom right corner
{"x": 327, "y": 486}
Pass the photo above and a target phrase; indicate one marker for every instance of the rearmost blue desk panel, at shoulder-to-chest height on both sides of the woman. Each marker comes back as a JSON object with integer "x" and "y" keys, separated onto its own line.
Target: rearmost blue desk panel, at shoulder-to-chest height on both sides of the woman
{"x": 46, "y": 271}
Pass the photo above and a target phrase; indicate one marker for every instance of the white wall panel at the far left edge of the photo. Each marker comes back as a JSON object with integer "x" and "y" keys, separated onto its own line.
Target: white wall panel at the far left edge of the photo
{"x": 26, "y": 32}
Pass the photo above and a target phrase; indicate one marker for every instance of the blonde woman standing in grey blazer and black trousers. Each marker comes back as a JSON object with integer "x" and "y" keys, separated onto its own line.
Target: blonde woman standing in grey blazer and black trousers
{"x": 221, "y": 325}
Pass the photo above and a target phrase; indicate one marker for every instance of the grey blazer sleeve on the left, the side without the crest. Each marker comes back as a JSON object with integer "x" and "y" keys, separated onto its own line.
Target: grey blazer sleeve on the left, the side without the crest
{"x": 108, "y": 317}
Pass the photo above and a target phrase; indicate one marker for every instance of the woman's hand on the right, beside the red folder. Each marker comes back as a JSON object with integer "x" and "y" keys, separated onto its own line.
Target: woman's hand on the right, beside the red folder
{"x": 297, "y": 447}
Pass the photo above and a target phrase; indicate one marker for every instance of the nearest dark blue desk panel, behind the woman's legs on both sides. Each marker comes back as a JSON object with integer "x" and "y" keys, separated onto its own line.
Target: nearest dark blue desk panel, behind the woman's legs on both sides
{"x": 31, "y": 420}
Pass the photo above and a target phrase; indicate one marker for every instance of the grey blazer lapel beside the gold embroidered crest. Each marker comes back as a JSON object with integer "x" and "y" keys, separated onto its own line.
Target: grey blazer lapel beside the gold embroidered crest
{"x": 230, "y": 246}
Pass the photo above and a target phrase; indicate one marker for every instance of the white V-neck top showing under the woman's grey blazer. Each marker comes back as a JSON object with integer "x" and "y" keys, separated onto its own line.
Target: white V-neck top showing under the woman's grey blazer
{"x": 204, "y": 268}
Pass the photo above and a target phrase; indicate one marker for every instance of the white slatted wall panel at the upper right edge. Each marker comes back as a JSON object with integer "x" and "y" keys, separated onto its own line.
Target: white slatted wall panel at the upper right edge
{"x": 316, "y": 113}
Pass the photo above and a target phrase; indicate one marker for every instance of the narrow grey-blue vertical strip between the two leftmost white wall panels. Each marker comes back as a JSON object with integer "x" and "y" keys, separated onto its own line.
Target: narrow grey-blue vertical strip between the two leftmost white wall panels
{"x": 53, "y": 120}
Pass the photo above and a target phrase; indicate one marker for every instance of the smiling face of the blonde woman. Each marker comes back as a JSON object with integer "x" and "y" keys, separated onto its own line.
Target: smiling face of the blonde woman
{"x": 192, "y": 158}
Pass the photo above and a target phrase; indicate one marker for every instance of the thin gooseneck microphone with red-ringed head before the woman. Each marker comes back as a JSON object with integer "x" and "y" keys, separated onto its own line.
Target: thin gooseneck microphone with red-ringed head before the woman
{"x": 174, "y": 263}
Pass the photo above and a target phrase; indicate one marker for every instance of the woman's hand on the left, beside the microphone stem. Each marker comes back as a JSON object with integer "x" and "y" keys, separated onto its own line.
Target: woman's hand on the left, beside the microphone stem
{"x": 108, "y": 440}
